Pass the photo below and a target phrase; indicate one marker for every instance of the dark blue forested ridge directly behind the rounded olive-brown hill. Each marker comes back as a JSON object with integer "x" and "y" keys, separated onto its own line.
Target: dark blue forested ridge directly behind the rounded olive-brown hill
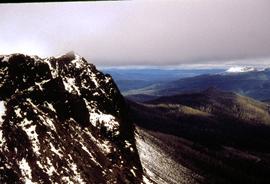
{"x": 255, "y": 84}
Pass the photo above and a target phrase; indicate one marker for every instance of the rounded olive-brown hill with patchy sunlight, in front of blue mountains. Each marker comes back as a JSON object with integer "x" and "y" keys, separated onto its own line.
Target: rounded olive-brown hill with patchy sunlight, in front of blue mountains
{"x": 220, "y": 103}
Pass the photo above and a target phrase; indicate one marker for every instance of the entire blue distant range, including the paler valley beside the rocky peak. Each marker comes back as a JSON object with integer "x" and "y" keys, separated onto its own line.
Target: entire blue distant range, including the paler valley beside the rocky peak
{"x": 252, "y": 83}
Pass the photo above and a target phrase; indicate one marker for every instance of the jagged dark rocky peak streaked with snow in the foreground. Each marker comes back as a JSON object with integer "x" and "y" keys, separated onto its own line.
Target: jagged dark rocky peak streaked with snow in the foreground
{"x": 63, "y": 121}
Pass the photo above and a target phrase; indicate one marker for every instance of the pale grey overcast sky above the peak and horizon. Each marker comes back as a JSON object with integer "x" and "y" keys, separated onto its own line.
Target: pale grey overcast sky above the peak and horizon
{"x": 210, "y": 32}
